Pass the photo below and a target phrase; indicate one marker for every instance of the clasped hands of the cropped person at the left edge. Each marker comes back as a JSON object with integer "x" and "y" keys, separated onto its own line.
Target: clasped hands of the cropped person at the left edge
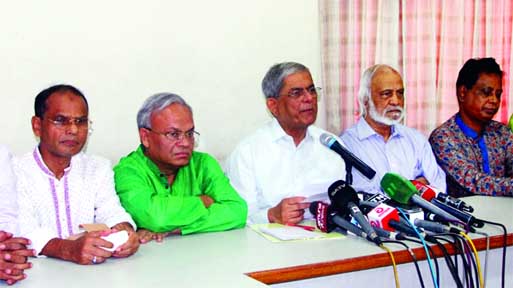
{"x": 13, "y": 257}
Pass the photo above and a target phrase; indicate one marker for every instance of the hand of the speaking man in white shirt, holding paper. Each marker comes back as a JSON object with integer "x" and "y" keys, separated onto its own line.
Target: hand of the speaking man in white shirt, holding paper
{"x": 288, "y": 211}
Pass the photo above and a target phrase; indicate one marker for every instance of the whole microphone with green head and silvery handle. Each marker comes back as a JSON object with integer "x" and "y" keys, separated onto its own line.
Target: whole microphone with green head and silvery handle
{"x": 404, "y": 192}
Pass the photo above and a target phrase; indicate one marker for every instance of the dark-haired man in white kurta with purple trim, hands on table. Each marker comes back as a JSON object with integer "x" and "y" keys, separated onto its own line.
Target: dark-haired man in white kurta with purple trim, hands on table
{"x": 61, "y": 188}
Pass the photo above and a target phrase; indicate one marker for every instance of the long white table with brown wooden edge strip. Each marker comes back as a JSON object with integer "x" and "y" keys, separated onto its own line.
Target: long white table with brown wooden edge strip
{"x": 237, "y": 258}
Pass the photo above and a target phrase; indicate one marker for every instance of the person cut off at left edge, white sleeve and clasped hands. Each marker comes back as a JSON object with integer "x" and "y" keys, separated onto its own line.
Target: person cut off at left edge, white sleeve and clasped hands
{"x": 13, "y": 250}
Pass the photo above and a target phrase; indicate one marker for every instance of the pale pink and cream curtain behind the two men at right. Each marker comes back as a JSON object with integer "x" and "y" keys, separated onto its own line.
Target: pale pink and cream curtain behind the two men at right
{"x": 427, "y": 41}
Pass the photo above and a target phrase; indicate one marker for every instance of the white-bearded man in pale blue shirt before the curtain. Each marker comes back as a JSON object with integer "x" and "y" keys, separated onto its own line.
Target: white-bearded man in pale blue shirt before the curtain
{"x": 381, "y": 141}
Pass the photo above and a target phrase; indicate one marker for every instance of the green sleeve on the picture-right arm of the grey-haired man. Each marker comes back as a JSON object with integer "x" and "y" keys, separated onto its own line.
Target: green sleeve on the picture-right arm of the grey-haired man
{"x": 228, "y": 211}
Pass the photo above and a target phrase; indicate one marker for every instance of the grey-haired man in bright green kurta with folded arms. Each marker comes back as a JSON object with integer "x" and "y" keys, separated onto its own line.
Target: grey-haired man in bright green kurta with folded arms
{"x": 166, "y": 186}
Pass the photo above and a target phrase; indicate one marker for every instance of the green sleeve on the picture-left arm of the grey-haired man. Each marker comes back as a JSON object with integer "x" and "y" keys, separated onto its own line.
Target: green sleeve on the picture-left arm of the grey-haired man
{"x": 149, "y": 202}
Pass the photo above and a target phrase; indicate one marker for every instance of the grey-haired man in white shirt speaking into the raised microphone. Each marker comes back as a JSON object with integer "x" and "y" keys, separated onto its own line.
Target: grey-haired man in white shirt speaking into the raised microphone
{"x": 282, "y": 162}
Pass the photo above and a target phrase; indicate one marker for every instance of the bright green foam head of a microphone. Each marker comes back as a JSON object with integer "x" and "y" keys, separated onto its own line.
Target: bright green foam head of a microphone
{"x": 397, "y": 187}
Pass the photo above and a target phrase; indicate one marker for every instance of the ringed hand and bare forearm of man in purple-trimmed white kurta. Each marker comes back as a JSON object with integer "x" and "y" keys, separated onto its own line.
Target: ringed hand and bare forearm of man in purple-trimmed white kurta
{"x": 84, "y": 250}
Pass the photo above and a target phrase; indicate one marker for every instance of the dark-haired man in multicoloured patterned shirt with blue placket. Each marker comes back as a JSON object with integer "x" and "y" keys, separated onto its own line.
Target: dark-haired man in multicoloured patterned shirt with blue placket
{"x": 475, "y": 151}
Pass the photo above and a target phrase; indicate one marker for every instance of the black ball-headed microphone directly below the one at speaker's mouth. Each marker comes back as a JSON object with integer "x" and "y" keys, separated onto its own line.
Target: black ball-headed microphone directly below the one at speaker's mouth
{"x": 343, "y": 198}
